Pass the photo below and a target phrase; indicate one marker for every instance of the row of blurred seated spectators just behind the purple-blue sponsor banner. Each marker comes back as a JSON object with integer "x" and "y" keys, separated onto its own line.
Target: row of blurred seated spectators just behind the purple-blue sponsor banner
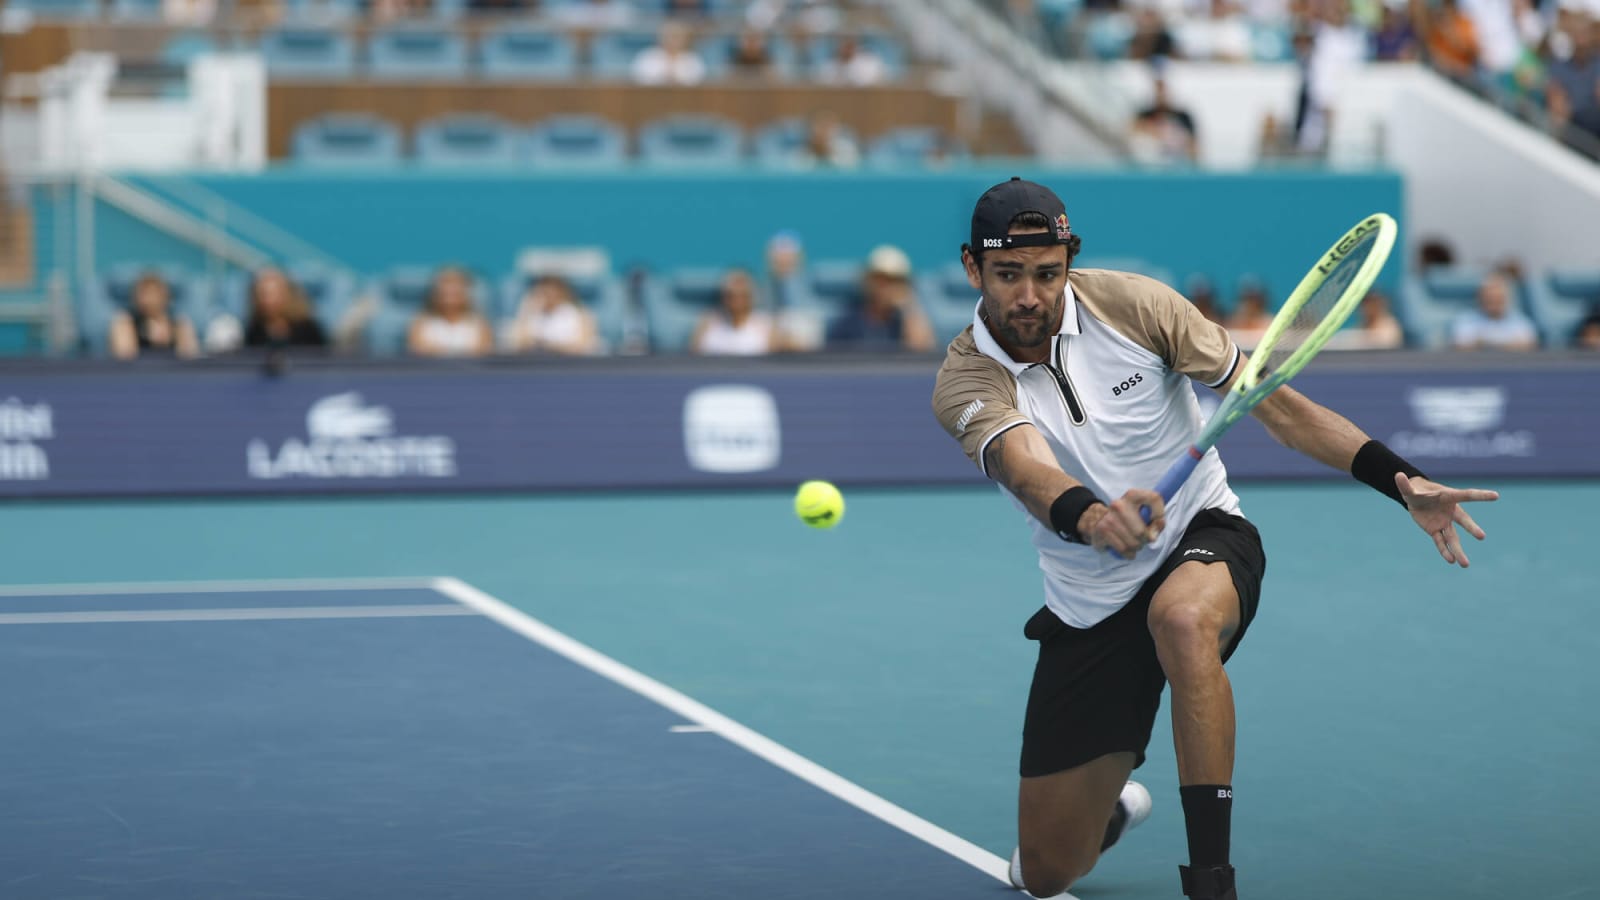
{"x": 751, "y": 313}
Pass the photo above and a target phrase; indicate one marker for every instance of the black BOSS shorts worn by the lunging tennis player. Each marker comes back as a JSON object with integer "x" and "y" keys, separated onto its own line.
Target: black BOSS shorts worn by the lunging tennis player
{"x": 1097, "y": 689}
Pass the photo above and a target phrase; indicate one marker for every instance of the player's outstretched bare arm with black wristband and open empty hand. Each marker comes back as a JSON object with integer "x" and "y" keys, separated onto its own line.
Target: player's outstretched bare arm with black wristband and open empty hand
{"x": 1298, "y": 424}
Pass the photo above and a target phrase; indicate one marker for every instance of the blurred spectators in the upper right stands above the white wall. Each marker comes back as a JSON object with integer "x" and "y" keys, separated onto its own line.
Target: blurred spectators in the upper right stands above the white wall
{"x": 1537, "y": 58}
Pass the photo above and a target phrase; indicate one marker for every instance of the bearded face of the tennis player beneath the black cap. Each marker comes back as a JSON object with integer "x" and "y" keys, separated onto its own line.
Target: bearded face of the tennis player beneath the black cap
{"x": 1025, "y": 292}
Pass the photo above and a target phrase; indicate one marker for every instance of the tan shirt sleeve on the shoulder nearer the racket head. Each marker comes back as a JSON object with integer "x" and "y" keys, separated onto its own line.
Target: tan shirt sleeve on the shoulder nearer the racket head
{"x": 1162, "y": 321}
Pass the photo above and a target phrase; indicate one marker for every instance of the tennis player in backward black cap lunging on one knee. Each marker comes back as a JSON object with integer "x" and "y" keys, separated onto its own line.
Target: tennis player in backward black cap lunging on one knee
{"x": 1071, "y": 390}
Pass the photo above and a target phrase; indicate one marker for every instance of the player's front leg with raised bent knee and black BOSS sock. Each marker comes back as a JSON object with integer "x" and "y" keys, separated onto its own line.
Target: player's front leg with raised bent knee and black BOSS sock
{"x": 1193, "y": 619}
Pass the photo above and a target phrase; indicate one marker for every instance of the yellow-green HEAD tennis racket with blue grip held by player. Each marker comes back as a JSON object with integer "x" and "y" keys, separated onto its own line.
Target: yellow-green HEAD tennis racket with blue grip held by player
{"x": 1310, "y": 318}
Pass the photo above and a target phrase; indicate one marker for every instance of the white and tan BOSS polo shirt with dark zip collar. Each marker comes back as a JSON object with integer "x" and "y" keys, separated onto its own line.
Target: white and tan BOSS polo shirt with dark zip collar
{"x": 1116, "y": 406}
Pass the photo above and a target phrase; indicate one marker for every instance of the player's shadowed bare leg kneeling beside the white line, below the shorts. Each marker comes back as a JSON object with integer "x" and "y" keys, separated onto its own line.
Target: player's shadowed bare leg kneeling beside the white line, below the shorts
{"x": 1062, "y": 821}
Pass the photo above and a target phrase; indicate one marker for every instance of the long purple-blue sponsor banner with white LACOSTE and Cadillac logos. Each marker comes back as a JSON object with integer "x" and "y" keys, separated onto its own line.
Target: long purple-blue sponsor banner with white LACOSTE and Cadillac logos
{"x": 145, "y": 433}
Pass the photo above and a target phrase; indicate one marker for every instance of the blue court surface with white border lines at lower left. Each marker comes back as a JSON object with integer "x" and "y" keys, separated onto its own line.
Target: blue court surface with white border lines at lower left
{"x": 402, "y": 739}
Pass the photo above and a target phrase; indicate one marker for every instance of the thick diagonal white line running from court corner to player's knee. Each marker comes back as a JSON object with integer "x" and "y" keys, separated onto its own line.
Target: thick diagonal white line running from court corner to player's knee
{"x": 695, "y": 712}
